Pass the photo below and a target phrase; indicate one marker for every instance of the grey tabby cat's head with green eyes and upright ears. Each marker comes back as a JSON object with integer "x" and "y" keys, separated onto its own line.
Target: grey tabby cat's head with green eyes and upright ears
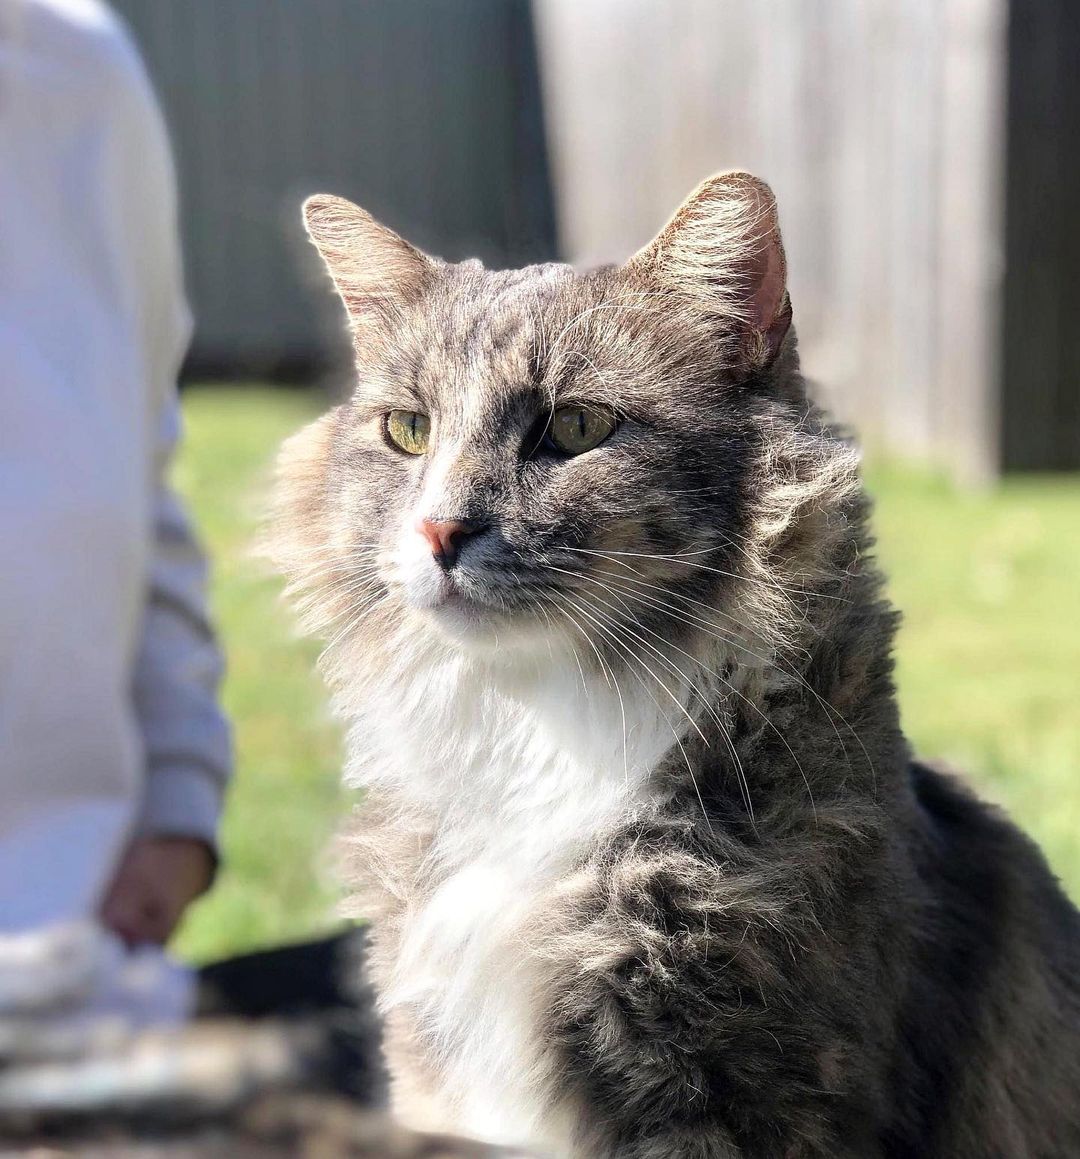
{"x": 546, "y": 453}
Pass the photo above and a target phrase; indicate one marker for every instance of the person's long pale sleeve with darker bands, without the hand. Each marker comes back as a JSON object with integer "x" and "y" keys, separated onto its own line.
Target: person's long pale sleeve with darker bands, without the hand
{"x": 178, "y": 667}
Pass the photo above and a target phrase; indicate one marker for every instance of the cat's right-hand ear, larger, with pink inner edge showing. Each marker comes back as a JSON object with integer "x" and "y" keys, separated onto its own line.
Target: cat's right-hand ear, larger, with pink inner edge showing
{"x": 723, "y": 252}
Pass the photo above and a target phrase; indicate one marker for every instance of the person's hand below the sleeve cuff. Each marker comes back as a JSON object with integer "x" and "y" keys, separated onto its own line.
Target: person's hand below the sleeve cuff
{"x": 157, "y": 880}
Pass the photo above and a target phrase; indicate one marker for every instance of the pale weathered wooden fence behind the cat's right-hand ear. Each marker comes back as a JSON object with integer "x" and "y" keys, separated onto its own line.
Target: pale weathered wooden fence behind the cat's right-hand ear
{"x": 879, "y": 123}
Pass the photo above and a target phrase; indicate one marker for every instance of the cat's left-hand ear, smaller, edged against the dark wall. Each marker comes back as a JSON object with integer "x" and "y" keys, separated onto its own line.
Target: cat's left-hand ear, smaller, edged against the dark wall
{"x": 375, "y": 271}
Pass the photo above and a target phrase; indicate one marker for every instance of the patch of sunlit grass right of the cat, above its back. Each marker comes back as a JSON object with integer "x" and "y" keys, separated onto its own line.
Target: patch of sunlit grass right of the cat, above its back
{"x": 989, "y": 655}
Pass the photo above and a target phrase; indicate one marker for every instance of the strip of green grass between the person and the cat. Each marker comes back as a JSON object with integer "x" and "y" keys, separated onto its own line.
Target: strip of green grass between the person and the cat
{"x": 276, "y": 883}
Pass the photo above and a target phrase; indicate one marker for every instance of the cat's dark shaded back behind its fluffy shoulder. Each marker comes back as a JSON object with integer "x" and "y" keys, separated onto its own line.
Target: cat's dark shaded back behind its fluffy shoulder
{"x": 989, "y": 1038}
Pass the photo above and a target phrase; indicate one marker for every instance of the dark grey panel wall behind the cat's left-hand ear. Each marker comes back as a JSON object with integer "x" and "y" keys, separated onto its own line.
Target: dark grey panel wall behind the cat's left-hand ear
{"x": 425, "y": 112}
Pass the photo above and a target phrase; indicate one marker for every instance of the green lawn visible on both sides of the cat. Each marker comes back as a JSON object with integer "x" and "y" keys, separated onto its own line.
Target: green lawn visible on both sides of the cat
{"x": 989, "y": 664}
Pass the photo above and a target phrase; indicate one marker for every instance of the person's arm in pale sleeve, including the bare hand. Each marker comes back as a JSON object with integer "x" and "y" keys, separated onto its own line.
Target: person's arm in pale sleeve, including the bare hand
{"x": 177, "y": 672}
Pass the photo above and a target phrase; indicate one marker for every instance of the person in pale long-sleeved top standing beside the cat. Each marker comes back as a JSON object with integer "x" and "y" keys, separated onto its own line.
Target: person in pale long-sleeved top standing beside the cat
{"x": 114, "y": 752}
